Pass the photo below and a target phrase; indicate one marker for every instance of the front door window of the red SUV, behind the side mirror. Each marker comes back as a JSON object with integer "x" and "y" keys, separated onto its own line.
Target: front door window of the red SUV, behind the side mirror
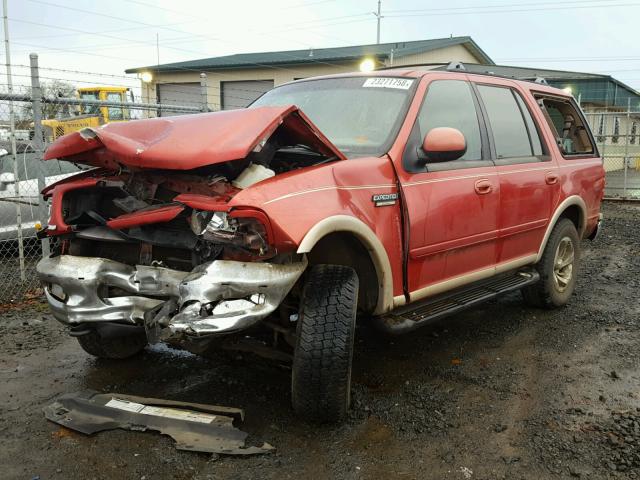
{"x": 449, "y": 103}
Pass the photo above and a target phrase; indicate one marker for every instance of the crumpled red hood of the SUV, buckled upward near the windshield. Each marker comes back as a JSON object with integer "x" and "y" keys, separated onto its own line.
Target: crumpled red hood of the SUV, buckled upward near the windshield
{"x": 189, "y": 141}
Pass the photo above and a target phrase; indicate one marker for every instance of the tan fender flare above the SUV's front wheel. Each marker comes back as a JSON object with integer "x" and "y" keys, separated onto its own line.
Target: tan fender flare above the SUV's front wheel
{"x": 377, "y": 252}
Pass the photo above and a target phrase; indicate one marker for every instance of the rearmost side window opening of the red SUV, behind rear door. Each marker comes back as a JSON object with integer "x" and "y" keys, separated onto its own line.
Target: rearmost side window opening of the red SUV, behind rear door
{"x": 567, "y": 125}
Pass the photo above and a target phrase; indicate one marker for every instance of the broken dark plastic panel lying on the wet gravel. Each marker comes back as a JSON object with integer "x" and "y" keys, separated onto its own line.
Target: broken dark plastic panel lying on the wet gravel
{"x": 196, "y": 427}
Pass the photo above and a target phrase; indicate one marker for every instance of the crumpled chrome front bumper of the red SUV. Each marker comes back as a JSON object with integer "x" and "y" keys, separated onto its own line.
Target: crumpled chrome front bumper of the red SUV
{"x": 218, "y": 297}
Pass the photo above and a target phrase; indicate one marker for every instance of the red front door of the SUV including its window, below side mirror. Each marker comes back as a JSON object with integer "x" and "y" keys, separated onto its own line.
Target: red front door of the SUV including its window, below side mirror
{"x": 452, "y": 207}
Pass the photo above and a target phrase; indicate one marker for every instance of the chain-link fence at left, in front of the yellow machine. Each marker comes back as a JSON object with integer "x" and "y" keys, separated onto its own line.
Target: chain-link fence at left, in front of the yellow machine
{"x": 34, "y": 113}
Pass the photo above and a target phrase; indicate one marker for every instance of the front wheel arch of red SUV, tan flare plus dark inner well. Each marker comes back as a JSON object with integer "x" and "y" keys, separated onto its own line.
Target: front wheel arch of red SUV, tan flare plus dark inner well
{"x": 333, "y": 236}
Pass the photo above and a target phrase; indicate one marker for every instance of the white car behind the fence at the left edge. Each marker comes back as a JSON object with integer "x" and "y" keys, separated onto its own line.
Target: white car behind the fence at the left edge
{"x": 24, "y": 192}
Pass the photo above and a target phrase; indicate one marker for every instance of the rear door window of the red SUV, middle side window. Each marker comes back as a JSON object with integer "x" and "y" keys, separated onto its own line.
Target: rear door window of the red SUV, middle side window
{"x": 510, "y": 133}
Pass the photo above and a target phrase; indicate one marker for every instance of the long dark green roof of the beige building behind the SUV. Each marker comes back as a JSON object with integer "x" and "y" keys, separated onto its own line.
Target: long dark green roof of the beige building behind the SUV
{"x": 320, "y": 55}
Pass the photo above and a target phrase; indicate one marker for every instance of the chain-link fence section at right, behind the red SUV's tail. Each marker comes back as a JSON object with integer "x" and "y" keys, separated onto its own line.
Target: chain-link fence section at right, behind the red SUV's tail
{"x": 617, "y": 135}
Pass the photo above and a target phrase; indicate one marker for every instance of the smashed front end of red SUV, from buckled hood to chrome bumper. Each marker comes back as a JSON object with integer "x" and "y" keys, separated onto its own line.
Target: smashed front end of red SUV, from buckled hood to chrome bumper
{"x": 161, "y": 247}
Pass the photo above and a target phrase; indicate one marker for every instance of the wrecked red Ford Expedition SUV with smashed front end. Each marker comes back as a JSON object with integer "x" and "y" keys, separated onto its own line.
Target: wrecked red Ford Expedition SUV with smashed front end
{"x": 402, "y": 196}
